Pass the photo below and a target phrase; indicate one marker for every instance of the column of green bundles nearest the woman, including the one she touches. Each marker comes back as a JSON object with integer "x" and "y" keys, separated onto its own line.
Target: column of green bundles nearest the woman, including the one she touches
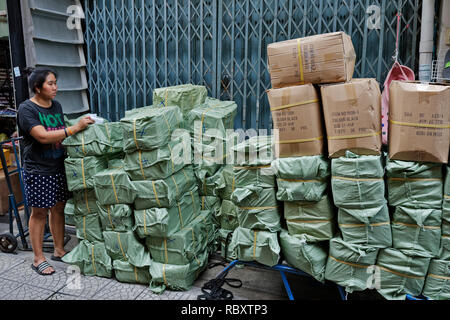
{"x": 89, "y": 153}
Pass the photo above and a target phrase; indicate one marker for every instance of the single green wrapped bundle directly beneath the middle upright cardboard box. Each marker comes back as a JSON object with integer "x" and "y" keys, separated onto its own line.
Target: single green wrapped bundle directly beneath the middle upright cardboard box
{"x": 358, "y": 181}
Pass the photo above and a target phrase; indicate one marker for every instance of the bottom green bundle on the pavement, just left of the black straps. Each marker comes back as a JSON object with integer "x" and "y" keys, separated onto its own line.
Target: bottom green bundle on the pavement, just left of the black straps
{"x": 176, "y": 277}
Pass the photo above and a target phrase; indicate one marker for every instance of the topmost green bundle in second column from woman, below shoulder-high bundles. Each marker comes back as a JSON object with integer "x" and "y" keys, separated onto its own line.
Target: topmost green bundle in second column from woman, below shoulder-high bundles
{"x": 113, "y": 186}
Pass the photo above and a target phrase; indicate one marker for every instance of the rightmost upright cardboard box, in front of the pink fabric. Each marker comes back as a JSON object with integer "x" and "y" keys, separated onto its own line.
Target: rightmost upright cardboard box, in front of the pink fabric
{"x": 419, "y": 122}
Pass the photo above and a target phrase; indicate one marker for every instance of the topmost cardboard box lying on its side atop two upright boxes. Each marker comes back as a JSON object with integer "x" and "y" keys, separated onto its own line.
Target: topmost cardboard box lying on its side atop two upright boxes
{"x": 324, "y": 58}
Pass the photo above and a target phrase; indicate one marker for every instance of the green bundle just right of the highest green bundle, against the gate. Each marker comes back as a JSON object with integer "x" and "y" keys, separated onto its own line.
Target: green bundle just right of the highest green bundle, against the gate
{"x": 211, "y": 119}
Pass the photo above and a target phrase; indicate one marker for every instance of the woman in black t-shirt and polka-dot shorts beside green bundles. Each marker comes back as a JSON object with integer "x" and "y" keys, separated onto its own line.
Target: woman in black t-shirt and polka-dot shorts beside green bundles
{"x": 41, "y": 123}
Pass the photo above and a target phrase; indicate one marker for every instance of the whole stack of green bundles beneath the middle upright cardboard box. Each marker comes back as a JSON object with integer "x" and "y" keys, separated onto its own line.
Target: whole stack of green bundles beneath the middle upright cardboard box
{"x": 363, "y": 218}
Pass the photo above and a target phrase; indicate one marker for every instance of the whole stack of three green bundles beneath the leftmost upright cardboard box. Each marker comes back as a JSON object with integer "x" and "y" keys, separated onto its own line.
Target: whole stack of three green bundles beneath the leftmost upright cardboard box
{"x": 308, "y": 211}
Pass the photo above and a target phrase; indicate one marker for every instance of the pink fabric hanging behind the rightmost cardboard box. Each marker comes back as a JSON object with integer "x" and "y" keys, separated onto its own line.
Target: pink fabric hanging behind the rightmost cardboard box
{"x": 398, "y": 72}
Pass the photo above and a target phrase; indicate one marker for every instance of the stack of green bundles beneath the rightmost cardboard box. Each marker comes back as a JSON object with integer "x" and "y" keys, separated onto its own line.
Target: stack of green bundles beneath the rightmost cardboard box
{"x": 415, "y": 193}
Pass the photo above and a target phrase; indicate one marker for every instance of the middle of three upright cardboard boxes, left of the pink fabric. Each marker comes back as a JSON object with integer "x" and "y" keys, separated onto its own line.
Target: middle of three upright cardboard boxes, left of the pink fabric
{"x": 352, "y": 113}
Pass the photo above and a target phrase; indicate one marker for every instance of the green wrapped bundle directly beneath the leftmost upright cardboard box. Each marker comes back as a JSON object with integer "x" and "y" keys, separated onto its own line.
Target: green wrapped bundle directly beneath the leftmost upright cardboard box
{"x": 302, "y": 178}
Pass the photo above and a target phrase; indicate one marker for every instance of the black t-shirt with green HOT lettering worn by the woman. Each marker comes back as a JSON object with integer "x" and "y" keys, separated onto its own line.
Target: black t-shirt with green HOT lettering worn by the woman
{"x": 41, "y": 158}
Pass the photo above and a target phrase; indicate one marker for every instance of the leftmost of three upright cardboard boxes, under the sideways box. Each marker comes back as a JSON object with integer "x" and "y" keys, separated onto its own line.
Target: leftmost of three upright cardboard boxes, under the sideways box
{"x": 297, "y": 115}
